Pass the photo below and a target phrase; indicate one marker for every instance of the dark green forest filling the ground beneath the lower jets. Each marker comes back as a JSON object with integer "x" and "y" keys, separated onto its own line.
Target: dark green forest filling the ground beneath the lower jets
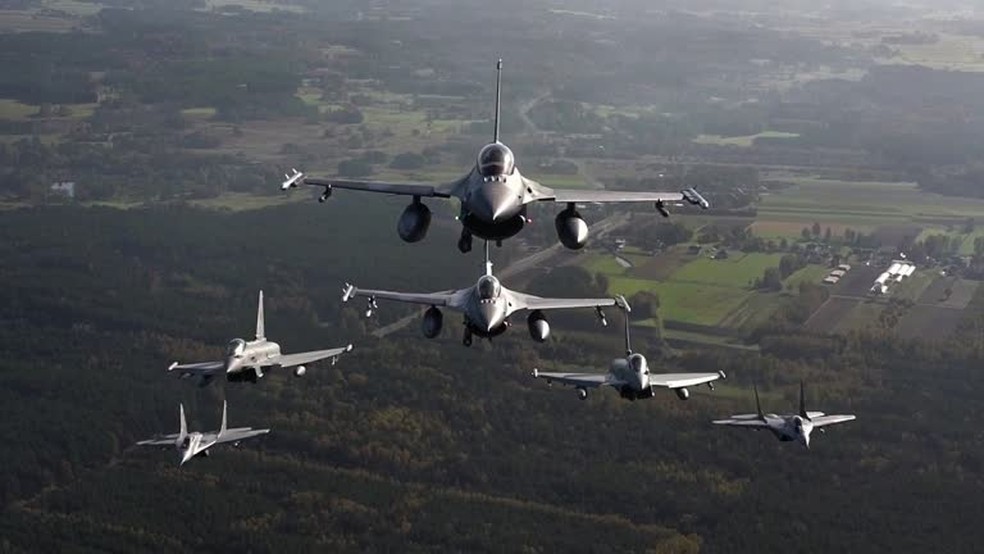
{"x": 413, "y": 444}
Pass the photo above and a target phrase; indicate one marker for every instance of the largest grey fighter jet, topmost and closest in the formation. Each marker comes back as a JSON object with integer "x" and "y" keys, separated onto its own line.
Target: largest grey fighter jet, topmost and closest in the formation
{"x": 494, "y": 196}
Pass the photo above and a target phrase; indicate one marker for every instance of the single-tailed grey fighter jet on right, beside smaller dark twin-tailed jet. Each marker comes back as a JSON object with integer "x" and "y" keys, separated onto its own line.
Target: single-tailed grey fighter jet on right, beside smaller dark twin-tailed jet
{"x": 630, "y": 375}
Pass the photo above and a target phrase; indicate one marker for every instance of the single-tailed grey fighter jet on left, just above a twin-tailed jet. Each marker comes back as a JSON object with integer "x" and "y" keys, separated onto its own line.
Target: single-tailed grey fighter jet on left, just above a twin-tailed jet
{"x": 245, "y": 360}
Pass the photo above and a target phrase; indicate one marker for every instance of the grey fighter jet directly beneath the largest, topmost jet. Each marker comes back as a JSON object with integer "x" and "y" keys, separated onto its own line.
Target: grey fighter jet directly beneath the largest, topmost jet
{"x": 486, "y": 306}
